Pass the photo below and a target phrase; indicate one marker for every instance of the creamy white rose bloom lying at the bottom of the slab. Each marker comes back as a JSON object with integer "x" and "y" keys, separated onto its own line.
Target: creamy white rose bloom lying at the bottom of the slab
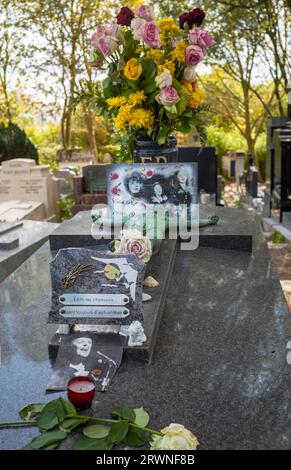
{"x": 176, "y": 437}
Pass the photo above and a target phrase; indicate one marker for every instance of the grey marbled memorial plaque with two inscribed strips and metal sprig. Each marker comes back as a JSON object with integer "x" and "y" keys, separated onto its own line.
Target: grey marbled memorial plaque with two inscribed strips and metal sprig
{"x": 93, "y": 287}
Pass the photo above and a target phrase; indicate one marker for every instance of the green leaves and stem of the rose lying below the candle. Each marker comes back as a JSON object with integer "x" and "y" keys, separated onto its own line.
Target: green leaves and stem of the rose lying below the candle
{"x": 59, "y": 417}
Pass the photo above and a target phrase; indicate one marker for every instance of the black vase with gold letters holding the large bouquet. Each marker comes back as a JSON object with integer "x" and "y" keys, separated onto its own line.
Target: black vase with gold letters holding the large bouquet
{"x": 147, "y": 151}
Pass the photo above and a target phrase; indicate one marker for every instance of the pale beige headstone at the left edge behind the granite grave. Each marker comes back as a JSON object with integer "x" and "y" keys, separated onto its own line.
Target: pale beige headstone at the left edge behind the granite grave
{"x": 27, "y": 190}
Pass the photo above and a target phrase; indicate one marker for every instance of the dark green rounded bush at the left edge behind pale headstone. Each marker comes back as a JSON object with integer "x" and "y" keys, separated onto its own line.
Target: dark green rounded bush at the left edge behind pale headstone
{"x": 14, "y": 143}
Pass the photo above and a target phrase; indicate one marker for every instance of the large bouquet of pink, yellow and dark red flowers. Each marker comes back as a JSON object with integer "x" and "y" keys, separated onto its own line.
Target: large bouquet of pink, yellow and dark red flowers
{"x": 151, "y": 89}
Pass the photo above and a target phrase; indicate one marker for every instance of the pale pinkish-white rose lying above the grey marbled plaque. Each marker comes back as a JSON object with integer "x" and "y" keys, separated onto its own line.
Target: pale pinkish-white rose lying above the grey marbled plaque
{"x": 133, "y": 241}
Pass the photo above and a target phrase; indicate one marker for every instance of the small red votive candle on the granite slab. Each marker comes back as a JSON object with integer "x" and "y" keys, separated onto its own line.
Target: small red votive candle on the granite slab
{"x": 81, "y": 391}
